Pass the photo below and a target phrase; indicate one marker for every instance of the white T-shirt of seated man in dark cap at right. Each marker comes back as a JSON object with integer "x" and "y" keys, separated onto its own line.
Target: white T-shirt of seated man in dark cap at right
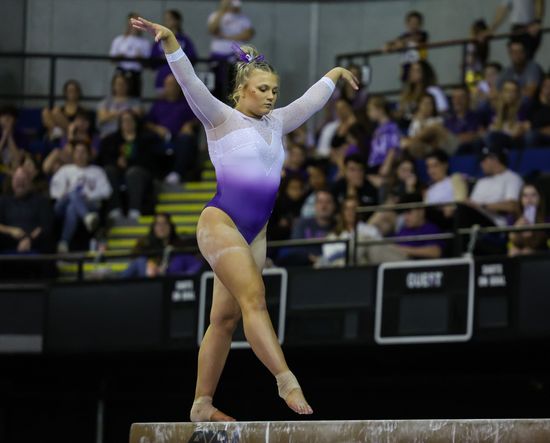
{"x": 497, "y": 188}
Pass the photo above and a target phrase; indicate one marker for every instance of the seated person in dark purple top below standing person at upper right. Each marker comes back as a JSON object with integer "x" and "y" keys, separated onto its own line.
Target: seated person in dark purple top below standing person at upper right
{"x": 463, "y": 123}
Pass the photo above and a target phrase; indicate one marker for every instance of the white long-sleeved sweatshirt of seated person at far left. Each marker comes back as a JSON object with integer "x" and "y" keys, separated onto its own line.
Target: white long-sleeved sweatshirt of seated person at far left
{"x": 93, "y": 180}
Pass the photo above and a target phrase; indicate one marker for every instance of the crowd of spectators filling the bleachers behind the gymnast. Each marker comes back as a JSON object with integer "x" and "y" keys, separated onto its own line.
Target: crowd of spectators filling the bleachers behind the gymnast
{"x": 88, "y": 168}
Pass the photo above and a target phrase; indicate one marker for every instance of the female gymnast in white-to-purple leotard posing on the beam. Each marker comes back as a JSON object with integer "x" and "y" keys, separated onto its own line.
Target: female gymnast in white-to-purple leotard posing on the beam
{"x": 245, "y": 146}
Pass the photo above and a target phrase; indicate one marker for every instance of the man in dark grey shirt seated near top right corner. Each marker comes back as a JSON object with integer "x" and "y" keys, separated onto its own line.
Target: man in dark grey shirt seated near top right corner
{"x": 525, "y": 72}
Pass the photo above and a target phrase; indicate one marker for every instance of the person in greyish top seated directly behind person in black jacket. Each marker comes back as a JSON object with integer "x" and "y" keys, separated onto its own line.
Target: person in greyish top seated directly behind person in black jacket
{"x": 110, "y": 108}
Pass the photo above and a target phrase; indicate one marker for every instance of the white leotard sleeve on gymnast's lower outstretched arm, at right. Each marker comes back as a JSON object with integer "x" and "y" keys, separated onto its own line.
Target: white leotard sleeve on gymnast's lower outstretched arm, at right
{"x": 313, "y": 100}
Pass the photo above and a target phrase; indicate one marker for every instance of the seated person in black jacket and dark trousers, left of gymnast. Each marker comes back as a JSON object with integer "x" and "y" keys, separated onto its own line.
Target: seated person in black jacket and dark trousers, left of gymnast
{"x": 127, "y": 156}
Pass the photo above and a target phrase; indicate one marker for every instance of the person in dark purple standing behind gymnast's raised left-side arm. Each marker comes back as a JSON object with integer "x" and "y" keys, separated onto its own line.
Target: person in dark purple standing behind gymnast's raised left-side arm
{"x": 173, "y": 20}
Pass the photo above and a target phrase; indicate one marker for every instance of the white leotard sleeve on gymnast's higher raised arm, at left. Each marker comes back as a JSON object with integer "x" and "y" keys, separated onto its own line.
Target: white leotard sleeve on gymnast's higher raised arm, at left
{"x": 208, "y": 109}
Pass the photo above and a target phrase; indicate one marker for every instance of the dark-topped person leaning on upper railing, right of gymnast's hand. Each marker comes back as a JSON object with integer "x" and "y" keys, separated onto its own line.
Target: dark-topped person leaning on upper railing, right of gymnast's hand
{"x": 413, "y": 39}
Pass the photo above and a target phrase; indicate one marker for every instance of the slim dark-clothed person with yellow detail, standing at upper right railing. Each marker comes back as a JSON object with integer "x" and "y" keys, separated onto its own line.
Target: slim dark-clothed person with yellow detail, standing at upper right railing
{"x": 477, "y": 53}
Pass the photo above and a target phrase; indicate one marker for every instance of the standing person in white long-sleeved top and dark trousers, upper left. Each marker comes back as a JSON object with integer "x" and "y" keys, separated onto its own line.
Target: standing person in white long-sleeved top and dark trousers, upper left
{"x": 131, "y": 44}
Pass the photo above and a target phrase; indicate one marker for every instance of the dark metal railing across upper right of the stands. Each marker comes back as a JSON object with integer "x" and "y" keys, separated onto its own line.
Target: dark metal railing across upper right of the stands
{"x": 363, "y": 57}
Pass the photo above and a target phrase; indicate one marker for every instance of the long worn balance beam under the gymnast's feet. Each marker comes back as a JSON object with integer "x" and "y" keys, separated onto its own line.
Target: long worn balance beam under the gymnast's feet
{"x": 386, "y": 431}
